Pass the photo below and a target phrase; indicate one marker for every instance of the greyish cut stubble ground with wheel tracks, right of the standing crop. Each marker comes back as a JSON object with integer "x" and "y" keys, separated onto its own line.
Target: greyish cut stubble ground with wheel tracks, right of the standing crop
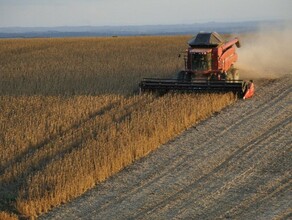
{"x": 236, "y": 164}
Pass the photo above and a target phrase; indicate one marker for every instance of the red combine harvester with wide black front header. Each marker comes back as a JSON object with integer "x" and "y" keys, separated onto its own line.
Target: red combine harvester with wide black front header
{"x": 209, "y": 67}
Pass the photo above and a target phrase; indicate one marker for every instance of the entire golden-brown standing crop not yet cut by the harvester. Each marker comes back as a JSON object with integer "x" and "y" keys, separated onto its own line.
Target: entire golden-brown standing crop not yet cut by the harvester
{"x": 57, "y": 142}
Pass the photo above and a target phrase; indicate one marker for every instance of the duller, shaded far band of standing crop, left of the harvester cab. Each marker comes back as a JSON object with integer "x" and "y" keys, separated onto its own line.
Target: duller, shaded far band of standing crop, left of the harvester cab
{"x": 85, "y": 66}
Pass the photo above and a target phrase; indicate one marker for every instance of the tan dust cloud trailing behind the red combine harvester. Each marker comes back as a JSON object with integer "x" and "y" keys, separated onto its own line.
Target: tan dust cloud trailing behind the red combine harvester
{"x": 266, "y": 53}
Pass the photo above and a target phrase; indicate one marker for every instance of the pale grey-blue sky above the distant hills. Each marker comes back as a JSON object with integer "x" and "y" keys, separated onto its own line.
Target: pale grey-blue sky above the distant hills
{"x": 51, "y": 13}
